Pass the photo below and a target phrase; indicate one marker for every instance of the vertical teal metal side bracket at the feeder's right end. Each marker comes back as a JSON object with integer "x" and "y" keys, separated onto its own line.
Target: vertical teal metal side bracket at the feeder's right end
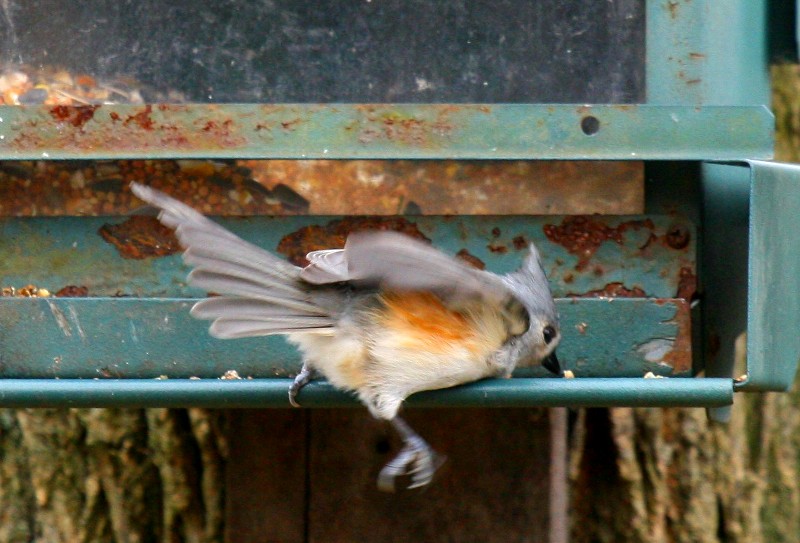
{"x": 752, "y": 285}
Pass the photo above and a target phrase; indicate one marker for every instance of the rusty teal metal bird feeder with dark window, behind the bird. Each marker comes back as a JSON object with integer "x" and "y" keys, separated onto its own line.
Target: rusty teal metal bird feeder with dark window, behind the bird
{"x": 662, "y": 103}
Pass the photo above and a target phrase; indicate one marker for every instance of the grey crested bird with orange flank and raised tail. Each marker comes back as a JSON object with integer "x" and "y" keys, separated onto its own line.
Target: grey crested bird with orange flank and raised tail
{"x": 384, "y": 317}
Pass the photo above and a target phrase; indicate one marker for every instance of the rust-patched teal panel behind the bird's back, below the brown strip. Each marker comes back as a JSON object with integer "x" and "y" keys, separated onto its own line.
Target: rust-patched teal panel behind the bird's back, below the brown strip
{"x": 54, "y": 253}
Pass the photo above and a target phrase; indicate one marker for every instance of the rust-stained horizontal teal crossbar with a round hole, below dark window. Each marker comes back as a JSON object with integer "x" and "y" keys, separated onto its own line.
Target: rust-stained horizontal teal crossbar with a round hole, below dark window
{"x": 409, "y": 131}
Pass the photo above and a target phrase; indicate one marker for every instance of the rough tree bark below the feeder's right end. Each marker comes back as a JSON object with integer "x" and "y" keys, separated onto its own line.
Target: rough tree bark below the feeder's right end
{"x": 670, "y": 475}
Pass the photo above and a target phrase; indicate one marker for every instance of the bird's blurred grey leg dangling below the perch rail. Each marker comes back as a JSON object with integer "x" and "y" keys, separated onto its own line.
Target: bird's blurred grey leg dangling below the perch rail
{"x": 416, "y": 459}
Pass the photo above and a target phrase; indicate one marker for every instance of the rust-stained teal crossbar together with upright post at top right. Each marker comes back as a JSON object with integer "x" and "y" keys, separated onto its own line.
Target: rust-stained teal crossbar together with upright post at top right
{"x": 707, "y": 86}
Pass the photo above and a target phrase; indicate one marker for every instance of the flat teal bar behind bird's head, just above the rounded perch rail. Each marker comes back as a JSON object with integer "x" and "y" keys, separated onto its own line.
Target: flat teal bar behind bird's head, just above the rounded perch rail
{"x": 85, "y": 338}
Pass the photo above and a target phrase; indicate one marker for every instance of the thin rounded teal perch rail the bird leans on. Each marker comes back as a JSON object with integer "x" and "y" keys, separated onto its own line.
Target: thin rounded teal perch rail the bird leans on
{"x": 530, "y": 392}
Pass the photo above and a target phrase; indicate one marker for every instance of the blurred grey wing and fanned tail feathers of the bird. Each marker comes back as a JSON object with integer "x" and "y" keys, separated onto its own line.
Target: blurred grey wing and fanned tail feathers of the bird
{"x": 244, "y": 273}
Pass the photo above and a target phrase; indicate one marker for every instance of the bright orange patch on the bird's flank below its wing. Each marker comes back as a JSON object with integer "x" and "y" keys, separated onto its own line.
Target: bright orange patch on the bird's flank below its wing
{"x": 422, "y": 319}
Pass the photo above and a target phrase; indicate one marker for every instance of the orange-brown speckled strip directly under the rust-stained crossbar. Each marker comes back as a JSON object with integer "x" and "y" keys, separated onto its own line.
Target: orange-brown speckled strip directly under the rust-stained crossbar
{"x": 288, "y": 187}
